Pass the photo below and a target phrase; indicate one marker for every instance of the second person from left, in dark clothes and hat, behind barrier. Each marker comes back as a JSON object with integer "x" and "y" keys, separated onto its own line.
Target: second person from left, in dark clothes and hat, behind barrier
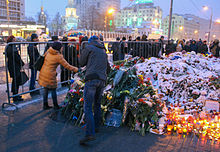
{"x": 33, "y": 56}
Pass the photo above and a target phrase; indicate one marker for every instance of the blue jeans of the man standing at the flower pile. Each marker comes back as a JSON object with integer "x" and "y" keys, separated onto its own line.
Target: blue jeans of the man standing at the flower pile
{"x": 92, "y": 95}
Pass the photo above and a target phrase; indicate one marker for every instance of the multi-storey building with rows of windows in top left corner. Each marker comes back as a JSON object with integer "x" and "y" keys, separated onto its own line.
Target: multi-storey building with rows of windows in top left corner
{"x": 16, "y": 10}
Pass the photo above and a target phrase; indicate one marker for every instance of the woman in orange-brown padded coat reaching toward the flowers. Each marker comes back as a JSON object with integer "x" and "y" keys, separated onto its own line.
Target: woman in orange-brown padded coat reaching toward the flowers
{"x": 47, "y": 76}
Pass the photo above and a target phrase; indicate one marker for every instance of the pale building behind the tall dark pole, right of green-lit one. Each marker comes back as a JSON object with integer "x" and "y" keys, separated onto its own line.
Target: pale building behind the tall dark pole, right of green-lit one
{"x": 183, "y": 27}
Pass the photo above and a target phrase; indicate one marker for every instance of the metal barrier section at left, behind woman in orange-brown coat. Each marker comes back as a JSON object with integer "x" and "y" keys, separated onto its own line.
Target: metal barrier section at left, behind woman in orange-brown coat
{"x": 19, "y": 60}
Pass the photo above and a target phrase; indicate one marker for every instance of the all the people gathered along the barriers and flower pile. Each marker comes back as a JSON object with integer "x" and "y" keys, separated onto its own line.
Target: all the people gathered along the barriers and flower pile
{"x": 93, "y": 56}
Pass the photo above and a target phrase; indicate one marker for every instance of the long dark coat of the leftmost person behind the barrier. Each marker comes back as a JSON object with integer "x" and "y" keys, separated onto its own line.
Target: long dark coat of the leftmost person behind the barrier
{"x": 15, "y": 62}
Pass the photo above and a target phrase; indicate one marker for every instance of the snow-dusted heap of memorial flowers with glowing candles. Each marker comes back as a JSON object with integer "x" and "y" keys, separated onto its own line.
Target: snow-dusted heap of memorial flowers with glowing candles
{"x": 155, "y": 94}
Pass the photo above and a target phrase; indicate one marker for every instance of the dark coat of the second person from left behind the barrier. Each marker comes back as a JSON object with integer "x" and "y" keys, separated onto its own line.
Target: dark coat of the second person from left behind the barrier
{"x": 33, "y": 54}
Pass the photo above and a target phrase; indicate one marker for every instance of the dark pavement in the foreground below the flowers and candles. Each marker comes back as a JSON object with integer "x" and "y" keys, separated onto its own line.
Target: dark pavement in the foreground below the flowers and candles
{"x": 30, "y": 129}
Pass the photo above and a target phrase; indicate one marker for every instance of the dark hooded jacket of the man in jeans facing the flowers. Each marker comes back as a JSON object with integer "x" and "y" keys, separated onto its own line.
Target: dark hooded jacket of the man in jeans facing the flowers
{"x": 95, "y": 59}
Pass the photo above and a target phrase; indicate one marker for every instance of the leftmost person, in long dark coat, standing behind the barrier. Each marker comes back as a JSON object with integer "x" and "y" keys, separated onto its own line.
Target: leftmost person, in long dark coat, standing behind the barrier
{"x": 15, "y": 64}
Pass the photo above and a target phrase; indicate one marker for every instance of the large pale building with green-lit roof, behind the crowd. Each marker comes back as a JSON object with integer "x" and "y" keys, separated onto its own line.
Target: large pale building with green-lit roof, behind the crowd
{"x": 142, "y": 16}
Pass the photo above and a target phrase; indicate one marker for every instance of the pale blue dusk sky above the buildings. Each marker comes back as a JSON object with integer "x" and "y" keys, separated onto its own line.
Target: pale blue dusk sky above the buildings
{"x": 180, "y": 6}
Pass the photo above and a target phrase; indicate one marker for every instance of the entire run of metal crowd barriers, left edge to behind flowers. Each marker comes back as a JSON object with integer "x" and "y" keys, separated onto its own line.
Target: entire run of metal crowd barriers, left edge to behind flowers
{"x": 17, "y": 58}
